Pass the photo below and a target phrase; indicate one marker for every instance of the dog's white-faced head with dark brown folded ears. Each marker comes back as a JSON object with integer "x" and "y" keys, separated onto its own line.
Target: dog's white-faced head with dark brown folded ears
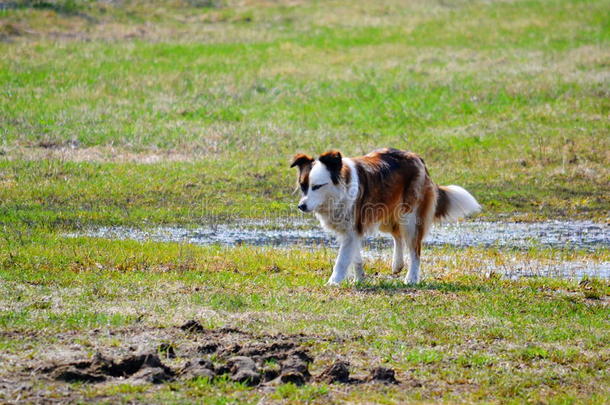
{"x": 318, "y": 179}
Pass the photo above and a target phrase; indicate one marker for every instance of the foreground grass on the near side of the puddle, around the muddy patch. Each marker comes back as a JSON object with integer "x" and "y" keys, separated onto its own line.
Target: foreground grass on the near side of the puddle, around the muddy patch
{"x": 457, "y": 337}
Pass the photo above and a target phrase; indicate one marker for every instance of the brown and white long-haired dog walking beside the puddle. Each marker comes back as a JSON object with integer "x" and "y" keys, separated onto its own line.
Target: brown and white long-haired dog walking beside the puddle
{"x": 388, "y": 190}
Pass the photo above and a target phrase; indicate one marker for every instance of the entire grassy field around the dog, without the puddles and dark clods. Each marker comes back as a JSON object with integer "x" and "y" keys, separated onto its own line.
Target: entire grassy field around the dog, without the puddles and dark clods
{"x": 187, "y": 113}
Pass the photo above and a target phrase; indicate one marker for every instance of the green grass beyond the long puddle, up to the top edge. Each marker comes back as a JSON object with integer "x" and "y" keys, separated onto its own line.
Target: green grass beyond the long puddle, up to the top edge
{"x": 508, "y": 99}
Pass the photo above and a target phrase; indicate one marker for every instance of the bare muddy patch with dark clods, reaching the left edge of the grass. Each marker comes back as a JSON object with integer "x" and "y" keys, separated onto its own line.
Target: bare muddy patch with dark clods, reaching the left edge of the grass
{"x": 185, "y": 352}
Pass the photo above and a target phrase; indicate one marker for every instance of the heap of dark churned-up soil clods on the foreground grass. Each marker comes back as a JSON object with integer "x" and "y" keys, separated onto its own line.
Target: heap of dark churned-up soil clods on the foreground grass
{"x": 243, "y": 357}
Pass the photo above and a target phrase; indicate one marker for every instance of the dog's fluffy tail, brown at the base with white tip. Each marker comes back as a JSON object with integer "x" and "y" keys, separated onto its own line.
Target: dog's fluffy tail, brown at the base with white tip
{"x": 453, "y": 203}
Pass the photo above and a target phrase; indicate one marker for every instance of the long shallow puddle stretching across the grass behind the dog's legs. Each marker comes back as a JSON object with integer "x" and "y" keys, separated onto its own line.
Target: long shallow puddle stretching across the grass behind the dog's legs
{"x": 556, "y": 234}
